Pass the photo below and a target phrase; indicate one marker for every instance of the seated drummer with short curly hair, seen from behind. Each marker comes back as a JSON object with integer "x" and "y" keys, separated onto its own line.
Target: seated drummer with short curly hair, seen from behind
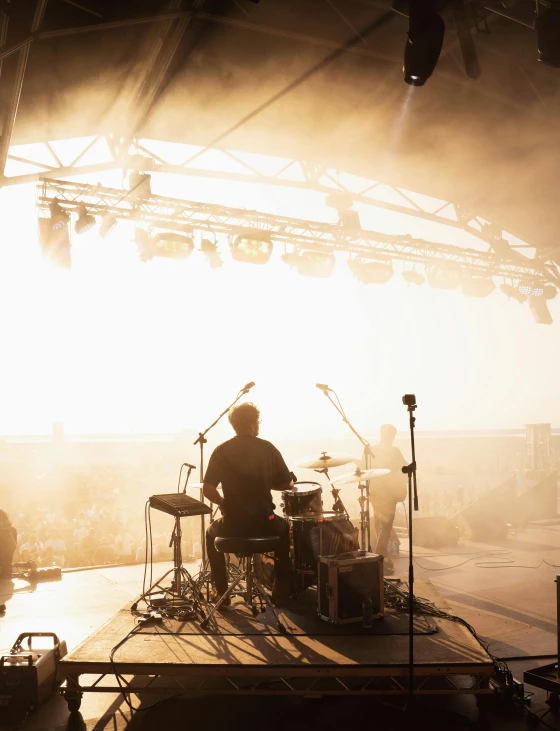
{"x": 248, "y": 468}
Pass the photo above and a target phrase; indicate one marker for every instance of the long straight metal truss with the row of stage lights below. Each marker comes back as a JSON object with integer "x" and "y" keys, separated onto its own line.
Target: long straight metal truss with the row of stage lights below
{"x": 301, "y": 235}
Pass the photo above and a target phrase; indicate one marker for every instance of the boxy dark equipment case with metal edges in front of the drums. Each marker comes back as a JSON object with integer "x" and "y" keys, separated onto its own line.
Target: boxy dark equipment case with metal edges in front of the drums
{"x": 345, "y": 582}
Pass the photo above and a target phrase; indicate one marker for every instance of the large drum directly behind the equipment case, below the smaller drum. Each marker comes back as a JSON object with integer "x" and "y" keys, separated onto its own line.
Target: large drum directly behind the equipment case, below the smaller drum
{"x": 320, "y": 534}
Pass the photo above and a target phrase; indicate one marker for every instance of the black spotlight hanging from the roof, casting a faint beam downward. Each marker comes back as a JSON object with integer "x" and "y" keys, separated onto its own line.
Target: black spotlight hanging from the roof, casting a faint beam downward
{"x": 423, "y": 46}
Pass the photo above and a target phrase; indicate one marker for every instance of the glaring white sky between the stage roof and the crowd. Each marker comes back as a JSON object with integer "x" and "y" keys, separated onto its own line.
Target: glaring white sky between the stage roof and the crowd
{"x": 121, "y": 346}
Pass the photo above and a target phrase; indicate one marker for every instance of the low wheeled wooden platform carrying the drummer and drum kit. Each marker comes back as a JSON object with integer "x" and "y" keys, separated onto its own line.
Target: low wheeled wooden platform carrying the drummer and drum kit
{"x": 244, "y": 655}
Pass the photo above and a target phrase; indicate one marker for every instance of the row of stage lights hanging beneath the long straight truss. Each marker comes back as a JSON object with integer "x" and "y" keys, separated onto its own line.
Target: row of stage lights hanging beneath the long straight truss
{"x": 258, "y": 250}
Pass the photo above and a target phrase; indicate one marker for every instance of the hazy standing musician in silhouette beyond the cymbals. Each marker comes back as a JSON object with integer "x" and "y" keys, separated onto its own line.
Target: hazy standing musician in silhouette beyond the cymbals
{"x": 385, "y": 492}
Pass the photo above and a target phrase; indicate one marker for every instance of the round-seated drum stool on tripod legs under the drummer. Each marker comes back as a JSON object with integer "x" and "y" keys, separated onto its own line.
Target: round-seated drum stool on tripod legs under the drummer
{"x": 246, "y": 548}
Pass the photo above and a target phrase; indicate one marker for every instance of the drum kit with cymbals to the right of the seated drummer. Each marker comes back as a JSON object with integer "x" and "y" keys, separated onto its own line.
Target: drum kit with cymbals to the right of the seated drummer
{"x": 317, "y": 532}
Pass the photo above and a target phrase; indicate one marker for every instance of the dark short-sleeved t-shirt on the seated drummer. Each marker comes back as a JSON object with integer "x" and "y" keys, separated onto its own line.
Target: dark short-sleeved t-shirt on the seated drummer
{"x": 248, "y": 468}
